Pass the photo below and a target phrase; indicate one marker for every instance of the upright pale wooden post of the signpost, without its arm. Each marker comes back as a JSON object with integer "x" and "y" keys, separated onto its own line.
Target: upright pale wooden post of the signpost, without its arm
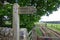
{"x": 15, "y": 21}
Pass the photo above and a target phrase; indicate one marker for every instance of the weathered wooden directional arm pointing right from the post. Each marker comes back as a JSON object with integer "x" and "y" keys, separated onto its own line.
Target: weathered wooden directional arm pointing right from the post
{"x": 27, "y": 10}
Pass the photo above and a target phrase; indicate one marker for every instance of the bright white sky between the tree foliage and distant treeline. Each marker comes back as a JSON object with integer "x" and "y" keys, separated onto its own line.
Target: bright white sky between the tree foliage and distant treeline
{"x": 55, "y": 16}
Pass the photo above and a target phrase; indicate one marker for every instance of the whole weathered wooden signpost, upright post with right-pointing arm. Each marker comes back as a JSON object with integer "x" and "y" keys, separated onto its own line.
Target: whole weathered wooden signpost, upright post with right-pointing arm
{"x": 16, "y": 11}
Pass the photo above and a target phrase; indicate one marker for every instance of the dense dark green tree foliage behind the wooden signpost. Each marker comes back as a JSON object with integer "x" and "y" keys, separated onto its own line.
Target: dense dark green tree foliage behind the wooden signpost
{"x": 42, "y": 6}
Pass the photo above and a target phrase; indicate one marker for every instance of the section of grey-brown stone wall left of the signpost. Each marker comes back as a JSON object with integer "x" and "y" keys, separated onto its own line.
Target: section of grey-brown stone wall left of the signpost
{"x": 6, "y": 33}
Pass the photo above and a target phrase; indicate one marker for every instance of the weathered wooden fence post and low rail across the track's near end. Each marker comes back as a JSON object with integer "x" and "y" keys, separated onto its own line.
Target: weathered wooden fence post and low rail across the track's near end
{"x": 35, "y": 36}
